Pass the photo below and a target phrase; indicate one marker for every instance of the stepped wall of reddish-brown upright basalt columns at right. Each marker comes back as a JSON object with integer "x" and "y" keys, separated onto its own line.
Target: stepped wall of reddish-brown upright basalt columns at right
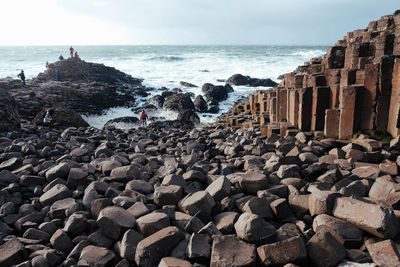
{"x": 354, "y": 87}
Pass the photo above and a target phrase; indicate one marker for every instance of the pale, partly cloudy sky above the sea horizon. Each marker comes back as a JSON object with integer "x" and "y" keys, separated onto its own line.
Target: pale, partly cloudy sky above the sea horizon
{"x": 182, "y": 22}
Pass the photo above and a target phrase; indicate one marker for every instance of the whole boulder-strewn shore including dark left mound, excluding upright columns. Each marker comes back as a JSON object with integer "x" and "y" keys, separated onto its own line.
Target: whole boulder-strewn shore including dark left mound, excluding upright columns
{"x": 232, "y": 193}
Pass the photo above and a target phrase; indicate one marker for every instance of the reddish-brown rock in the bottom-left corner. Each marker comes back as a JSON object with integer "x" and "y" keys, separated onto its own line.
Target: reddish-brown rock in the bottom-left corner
{"x": 12, "y": 252}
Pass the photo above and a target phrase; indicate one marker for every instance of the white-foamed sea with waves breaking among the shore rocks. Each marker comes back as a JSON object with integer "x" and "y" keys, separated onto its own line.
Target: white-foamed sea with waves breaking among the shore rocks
{"x": 166, "y": 66}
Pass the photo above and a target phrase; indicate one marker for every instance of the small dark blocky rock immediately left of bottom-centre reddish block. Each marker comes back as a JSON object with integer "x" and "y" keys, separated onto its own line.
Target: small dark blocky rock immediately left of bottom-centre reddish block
{"x": 199, "y": 247}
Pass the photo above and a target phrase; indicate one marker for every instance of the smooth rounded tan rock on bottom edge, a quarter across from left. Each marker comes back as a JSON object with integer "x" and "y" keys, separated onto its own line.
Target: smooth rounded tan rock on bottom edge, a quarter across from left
{"x": 96, "y": 256}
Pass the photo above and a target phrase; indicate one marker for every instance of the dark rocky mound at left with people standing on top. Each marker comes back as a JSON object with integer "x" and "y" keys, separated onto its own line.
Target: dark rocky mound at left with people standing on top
{"x": 88, "y": 88}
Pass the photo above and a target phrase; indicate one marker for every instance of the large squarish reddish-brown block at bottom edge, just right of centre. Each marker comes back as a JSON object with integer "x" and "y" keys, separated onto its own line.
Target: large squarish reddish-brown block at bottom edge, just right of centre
{"x": 222, "y": 253}
